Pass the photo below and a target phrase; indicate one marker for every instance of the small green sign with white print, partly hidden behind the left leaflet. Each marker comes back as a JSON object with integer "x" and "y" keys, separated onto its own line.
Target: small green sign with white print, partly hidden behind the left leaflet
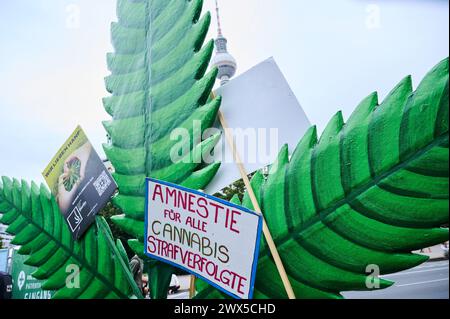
{"x": 25, "y": 286}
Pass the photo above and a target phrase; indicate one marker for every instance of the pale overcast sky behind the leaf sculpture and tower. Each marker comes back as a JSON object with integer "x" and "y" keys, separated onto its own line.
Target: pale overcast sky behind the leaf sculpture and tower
{"x": 333, "y": 54}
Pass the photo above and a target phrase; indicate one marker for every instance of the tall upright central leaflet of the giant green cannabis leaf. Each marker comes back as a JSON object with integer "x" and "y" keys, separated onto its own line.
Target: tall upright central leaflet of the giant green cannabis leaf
{"x": 158, "y": 83}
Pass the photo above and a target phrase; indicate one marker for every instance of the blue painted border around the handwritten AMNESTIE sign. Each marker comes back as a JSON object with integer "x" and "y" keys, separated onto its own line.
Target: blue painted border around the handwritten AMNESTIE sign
{"x": 228, "y": 204}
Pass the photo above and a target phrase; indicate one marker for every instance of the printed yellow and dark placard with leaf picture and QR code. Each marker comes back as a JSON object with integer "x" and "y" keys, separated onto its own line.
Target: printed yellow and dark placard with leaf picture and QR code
{"x": 80, "y": 182}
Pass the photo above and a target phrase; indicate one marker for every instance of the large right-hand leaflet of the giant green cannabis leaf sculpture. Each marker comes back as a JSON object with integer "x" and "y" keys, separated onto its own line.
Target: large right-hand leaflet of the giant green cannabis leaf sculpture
{"x": 367, "y": 192}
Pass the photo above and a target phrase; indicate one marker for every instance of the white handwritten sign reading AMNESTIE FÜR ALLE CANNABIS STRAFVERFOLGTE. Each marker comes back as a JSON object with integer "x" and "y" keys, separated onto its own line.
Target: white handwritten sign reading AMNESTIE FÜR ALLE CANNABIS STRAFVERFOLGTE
{"x": 208, "y": 237}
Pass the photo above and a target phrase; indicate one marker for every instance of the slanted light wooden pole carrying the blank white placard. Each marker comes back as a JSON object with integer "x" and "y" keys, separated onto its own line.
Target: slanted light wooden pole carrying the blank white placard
{"x": 257, "y": 208}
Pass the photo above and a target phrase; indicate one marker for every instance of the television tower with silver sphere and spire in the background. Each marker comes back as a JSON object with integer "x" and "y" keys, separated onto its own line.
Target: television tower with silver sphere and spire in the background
{"x": 223, "y": 60}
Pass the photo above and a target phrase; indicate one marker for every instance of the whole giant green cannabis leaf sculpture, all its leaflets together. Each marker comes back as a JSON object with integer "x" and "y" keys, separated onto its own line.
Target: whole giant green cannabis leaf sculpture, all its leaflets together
{"x": 368, "y": 192}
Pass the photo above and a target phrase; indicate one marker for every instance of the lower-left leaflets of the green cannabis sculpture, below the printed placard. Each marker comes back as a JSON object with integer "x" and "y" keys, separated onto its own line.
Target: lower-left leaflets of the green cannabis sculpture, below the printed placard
{"x": 34, "y": 218}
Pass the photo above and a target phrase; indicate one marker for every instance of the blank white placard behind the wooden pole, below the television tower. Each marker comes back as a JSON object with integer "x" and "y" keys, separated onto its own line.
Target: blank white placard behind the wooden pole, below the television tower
{"x": 264, "y": 114}
